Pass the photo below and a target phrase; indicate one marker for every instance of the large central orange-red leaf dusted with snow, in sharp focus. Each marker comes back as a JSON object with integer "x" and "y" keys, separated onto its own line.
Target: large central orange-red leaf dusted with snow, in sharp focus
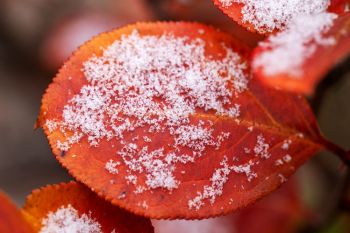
{"x": 164, "y": 120}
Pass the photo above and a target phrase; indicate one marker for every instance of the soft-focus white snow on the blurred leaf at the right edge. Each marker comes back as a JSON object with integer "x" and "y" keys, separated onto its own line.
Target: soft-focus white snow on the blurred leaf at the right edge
{"x": 286, "y": 51}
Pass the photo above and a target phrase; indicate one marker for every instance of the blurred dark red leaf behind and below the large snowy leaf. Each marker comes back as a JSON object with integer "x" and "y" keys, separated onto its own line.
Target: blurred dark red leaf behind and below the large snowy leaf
{"x": 282, "y": 211}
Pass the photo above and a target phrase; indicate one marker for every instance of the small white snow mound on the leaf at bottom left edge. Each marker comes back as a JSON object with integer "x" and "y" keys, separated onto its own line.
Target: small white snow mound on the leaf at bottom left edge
{"x": 67, "y": 220}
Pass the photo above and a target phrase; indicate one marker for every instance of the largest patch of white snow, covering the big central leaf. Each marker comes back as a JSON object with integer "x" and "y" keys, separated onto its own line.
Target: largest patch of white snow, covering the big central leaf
{"x": 154, "y": 82}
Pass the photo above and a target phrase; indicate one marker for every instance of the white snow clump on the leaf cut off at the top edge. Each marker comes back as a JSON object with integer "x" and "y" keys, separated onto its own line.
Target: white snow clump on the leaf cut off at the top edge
{"x": 270, "y": 15}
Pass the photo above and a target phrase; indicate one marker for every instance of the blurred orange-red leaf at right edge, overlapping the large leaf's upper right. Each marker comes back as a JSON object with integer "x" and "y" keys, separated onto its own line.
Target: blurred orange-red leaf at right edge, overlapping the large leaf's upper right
{"x": 321, "y": 58}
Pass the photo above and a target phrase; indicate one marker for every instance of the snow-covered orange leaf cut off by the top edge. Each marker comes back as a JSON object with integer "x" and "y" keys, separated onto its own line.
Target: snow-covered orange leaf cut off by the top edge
{"x": 266, "y": 17}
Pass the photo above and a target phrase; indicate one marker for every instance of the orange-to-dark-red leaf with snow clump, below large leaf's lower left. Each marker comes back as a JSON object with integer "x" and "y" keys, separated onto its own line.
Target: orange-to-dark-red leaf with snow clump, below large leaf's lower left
{"x": 72, "y": 207}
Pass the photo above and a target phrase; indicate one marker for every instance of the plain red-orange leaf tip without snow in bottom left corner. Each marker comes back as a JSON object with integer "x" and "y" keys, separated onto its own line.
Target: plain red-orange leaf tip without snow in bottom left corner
{"x": 11, "y": 219}
